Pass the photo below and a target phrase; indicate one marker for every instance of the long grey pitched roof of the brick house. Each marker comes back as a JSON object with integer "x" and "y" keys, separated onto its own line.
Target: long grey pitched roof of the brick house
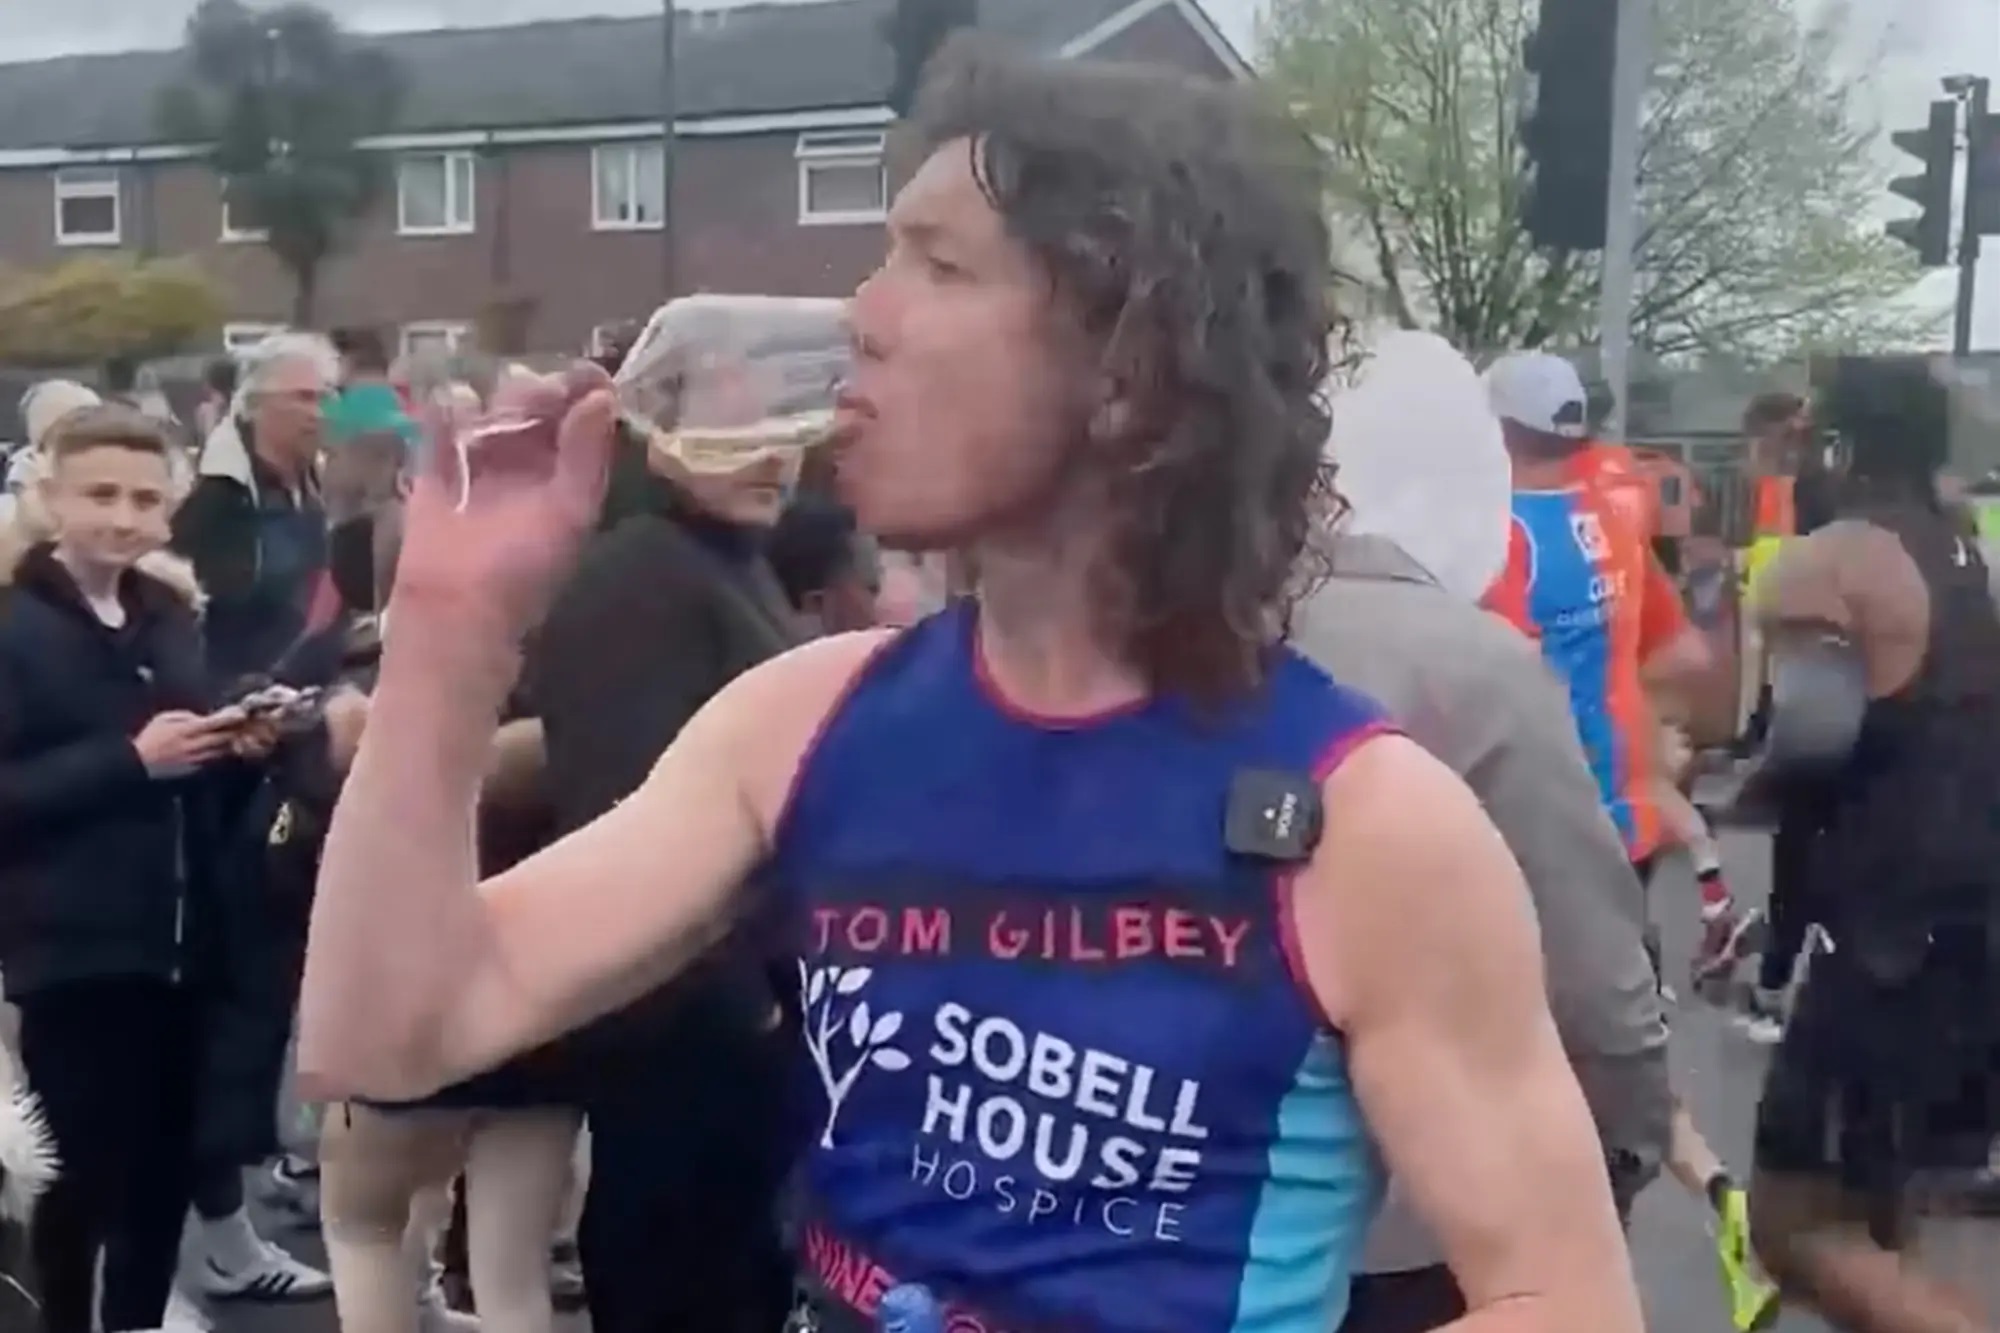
{"x": 585, "y": 71}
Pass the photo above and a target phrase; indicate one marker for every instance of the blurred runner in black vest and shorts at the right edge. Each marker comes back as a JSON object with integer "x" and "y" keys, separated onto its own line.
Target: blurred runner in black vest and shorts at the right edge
{"x": 1885, "y": 623}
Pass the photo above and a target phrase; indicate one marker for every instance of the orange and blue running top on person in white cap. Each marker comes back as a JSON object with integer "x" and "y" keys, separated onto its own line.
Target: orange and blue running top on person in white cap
{"x": 1581, "y": 579}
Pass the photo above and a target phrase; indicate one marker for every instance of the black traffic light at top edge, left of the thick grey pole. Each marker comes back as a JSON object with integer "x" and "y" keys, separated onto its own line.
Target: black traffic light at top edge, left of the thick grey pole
{"x": 1567, "y": 131}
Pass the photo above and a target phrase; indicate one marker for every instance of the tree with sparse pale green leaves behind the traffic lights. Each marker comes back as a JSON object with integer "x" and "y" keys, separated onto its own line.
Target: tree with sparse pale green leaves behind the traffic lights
{"x": 1759, "y": 177}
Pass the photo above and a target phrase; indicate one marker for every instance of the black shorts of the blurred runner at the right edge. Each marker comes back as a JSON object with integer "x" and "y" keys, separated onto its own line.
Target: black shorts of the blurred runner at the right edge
{"x": 1877, "y": 1082}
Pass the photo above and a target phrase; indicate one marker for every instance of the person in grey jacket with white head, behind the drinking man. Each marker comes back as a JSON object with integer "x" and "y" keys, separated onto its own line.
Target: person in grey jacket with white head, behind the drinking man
{"x": 1427, "y": 477}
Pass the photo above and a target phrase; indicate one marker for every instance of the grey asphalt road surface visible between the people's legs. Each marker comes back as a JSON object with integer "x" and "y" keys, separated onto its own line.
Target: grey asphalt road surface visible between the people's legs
{"x": 1719, "y": 1074}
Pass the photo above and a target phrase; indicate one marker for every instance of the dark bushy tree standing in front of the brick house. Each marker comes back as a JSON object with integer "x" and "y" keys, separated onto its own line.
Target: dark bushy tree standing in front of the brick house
{"x": 283, "y": 99}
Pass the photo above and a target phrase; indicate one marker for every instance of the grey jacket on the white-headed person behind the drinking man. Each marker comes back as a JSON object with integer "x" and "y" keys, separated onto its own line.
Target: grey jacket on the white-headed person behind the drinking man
{"x": 1477, "y": 696}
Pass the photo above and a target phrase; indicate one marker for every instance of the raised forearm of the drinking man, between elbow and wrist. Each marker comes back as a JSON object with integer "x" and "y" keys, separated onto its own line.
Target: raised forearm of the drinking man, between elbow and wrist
{"x": 397, "y": 926}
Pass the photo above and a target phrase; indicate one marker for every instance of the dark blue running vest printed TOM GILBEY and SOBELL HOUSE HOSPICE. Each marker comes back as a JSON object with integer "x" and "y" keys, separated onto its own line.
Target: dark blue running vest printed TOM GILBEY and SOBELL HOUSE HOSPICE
{"x": 1063, "y": 1066}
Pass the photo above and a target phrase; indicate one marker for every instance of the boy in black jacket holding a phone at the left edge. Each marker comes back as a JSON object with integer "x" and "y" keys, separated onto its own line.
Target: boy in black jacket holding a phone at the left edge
{"x": 107, "y": 750}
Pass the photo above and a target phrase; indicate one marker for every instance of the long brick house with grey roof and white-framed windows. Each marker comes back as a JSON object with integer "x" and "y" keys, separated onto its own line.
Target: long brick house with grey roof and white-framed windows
{"x": 527, "y": 163}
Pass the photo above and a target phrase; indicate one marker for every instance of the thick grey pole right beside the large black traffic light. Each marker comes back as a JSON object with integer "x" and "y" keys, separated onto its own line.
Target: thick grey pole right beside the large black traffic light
{"x": 1621, "y": 207}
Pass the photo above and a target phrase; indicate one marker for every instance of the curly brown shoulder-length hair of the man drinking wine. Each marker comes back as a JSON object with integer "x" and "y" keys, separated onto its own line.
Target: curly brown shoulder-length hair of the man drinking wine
{"x": 1181, "y": 219}
